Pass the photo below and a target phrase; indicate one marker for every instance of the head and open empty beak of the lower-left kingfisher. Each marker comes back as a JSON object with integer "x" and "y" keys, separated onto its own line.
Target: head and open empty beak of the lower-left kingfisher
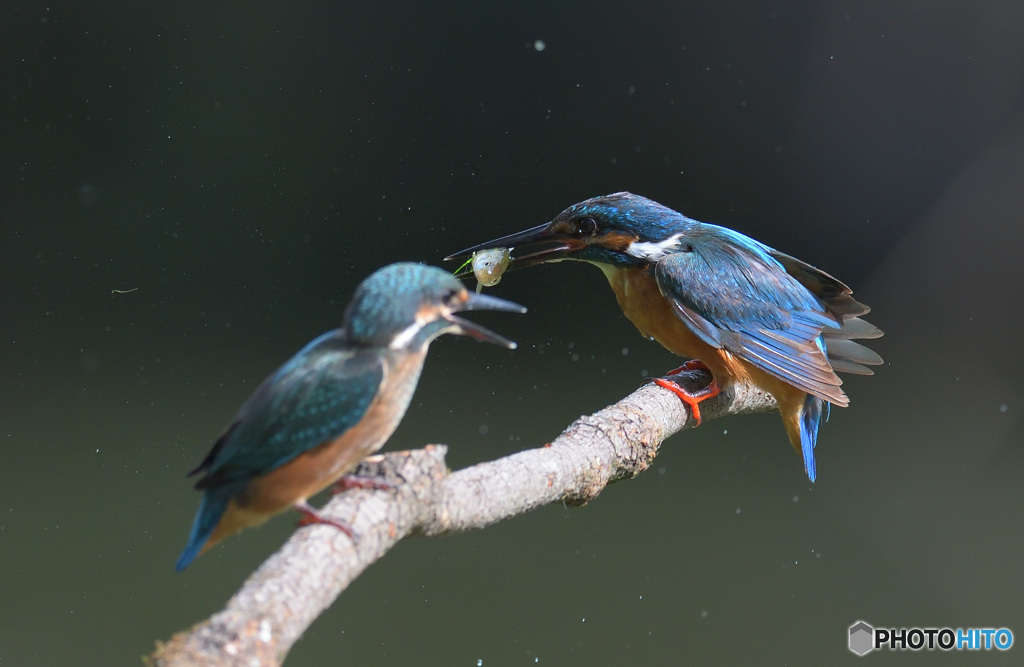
{"x": 407, "y": 306}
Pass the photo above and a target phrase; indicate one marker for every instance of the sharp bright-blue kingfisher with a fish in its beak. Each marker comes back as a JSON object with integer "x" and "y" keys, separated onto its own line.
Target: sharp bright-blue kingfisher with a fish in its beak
{"x": 733, "y": 306}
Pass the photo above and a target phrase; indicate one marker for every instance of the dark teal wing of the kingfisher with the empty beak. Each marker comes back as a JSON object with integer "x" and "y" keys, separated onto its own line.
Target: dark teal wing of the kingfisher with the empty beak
{"x": 316, "y": 397}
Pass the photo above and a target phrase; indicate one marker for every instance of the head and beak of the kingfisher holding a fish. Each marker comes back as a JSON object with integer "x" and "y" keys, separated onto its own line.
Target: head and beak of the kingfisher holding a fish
{"x": 621, "y": 230}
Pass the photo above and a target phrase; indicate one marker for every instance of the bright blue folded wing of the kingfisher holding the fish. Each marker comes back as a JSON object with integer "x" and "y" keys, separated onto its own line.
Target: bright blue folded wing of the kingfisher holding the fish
{"x": 731, "y": 291}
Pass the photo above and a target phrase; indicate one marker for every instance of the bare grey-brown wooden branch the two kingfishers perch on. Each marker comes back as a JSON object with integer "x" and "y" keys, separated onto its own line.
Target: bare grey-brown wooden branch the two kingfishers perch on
{"x": 286, "y": 595}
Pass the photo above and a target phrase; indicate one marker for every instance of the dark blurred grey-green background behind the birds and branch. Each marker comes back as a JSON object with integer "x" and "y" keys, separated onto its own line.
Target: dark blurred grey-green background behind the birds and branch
{"x": 189, "y": 195}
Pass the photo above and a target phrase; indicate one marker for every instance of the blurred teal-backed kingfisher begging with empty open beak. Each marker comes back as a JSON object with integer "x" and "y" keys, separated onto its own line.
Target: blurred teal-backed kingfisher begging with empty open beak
{"x": 333, "y": 404}
